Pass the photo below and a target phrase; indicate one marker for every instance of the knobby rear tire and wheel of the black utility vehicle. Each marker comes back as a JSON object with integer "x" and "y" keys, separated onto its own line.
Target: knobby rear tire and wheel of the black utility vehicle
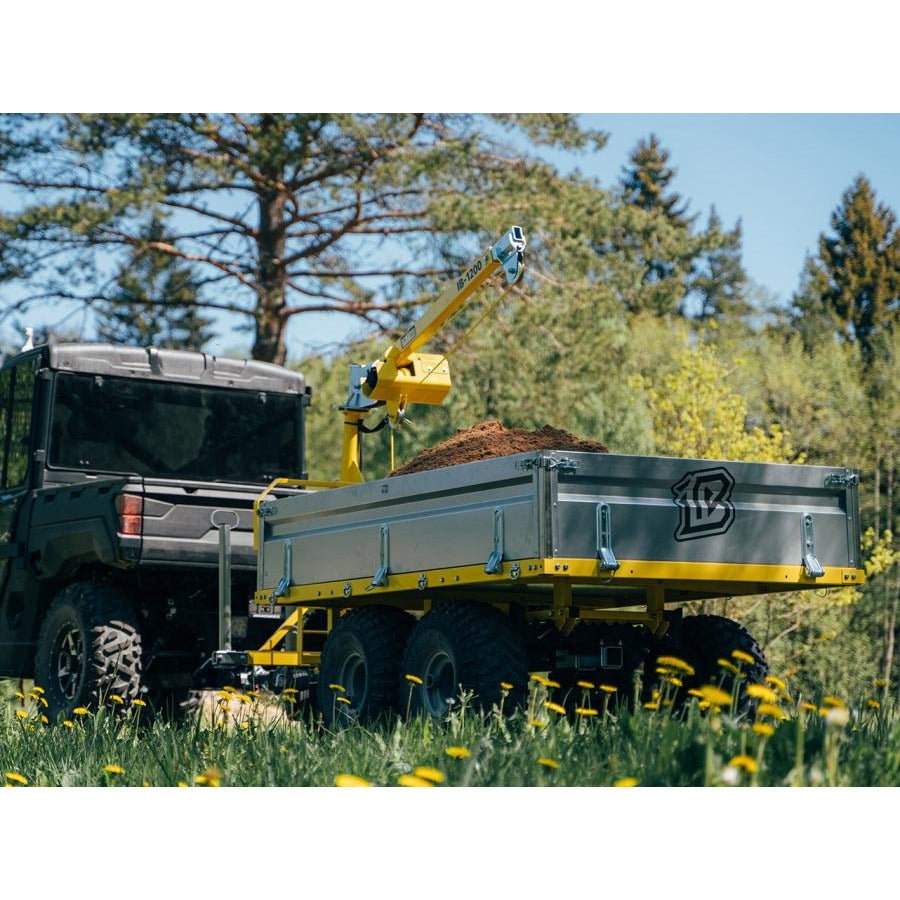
{"x": 88, "y": 648}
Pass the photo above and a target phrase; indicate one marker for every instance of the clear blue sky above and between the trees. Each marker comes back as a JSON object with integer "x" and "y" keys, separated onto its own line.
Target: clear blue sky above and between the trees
{"x": 781, "y": 174}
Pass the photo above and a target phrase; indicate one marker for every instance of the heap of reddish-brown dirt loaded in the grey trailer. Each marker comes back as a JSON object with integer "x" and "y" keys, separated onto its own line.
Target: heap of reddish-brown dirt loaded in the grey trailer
{"x": 489, "y": 439}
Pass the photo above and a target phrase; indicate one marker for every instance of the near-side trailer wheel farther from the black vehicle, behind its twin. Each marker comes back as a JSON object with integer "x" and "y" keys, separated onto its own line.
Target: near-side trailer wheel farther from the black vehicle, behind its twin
{"x": 464, "y": 646}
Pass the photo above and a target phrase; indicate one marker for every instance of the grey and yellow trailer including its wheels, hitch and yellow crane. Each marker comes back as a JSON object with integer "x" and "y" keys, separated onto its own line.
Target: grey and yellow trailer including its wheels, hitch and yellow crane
{"x": 405, "y": 591}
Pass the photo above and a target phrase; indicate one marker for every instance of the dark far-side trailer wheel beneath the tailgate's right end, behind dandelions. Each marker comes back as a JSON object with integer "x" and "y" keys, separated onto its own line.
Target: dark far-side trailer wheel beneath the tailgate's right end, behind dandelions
{"x": 705, "y": 639}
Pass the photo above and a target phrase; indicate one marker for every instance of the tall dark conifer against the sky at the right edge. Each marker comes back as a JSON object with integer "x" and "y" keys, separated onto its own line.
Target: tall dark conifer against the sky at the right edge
{"x": 854, "y": 281}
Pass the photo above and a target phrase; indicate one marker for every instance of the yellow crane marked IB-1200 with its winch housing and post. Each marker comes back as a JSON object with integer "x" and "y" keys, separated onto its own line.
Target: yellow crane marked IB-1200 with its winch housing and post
{"x": 403, "y": 376}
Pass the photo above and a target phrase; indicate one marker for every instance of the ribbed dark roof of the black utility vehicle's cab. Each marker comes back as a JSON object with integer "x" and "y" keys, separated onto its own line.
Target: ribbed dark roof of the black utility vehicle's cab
{"x": 172, "y": 365}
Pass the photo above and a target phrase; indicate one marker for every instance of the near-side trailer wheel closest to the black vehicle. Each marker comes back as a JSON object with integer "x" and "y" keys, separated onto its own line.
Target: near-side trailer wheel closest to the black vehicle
{"x": 362, "y": 656}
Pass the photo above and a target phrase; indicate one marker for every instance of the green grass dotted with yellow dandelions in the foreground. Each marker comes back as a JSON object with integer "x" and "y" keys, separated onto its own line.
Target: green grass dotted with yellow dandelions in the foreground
{"x": 588, "y": 737}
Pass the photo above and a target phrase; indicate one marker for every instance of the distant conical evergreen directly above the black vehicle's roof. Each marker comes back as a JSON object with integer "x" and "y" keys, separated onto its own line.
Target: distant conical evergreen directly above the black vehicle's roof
{"x": 154, "y": 301}
